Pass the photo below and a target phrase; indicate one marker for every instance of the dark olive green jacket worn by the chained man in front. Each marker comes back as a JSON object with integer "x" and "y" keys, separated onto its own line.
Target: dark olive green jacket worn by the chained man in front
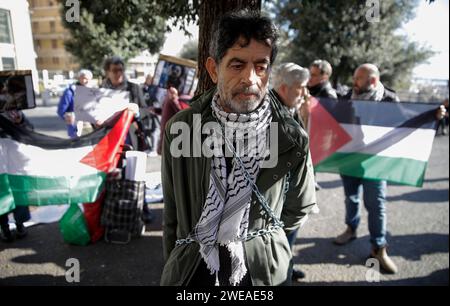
{"x": 186, "y": 182}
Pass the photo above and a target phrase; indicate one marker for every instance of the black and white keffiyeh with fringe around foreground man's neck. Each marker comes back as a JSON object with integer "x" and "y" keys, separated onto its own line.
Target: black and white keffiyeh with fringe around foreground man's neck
{"x": 224, "y": 219}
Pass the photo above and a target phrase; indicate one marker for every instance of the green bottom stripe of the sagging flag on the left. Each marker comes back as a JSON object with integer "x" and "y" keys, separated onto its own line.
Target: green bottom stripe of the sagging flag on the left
{"x": 38, "y": 190}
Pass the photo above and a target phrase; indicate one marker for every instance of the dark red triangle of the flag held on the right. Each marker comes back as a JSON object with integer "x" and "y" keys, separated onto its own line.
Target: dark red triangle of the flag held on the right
{"x": 326, "y": 135}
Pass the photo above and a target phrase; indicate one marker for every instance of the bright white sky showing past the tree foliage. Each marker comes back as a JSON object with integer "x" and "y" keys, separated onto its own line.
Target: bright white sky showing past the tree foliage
{"x": 430, "y": 28}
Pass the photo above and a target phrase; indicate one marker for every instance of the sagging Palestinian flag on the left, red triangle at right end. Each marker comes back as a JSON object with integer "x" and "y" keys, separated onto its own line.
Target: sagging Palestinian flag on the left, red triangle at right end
{"x": 36, "y": 169}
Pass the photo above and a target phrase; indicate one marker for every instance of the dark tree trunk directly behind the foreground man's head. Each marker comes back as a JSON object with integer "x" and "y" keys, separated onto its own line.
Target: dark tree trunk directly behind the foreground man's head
{"x": 210, "y": 11}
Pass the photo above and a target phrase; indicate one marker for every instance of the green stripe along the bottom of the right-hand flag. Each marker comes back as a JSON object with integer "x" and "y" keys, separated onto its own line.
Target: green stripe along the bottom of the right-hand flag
{"x": 398, "y": 170}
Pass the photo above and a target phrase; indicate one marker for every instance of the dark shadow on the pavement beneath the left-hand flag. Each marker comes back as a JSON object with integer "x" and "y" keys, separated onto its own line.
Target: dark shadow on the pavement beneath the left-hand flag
{"x": 138, "y": 263}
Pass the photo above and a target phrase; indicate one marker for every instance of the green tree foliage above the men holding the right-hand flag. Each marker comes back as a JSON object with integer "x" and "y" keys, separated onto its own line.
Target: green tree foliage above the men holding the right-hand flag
{"x": 340, "y": 32}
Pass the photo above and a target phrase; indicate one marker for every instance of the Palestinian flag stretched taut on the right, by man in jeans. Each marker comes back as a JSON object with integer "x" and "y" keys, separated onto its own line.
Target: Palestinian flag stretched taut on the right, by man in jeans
{"x": 374, "y": 140}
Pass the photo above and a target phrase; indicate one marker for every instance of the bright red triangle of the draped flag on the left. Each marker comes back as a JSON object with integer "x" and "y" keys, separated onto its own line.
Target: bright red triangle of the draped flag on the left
{"x": 106, "y": 154}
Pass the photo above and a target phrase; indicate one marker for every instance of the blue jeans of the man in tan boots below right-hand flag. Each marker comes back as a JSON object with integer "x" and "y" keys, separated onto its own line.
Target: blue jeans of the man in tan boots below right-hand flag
{"x": 374, "y": 195}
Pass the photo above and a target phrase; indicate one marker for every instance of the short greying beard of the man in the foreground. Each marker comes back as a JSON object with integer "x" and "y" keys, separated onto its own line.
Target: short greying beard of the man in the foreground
{"x": 244, "y": 106}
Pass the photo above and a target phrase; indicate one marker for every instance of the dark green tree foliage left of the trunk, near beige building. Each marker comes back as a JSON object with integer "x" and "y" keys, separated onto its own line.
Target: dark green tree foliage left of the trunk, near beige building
{"x": 120, "y": 27}
